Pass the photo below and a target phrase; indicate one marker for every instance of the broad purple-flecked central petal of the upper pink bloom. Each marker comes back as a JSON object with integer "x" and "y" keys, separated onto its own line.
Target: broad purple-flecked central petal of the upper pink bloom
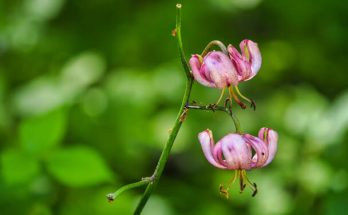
{"x": 221, "y": 69}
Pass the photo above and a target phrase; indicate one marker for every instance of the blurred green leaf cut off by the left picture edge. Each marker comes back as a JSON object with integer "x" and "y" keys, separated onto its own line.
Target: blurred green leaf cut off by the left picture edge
{"x": 18, "y": 167}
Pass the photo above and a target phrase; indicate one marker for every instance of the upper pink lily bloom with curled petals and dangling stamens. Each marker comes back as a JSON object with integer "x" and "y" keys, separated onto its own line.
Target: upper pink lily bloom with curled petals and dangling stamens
{"x": 226, "y": 70}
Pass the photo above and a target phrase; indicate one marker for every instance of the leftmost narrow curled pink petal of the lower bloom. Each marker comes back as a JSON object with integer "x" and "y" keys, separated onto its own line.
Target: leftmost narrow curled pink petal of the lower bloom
{"x": 207, "y": 143}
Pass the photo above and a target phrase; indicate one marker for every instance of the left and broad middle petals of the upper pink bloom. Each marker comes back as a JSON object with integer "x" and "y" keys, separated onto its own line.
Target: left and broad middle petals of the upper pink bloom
{"x": 214, "y": 70}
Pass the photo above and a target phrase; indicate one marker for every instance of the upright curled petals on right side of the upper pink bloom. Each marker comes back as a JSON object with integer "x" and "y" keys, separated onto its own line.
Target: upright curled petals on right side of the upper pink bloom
{"x": 249, "y": 62}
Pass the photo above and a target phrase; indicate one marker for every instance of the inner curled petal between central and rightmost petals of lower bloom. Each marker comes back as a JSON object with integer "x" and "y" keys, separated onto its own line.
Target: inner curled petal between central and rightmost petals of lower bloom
{"x": 260, "y": 148}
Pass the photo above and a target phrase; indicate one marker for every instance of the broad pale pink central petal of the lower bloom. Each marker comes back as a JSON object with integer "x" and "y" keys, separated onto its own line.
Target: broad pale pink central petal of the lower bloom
{"x": 236, "y": 152}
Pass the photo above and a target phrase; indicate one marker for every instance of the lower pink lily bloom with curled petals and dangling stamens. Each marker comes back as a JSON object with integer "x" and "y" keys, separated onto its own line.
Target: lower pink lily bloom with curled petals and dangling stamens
{"x": 240, "y": 152}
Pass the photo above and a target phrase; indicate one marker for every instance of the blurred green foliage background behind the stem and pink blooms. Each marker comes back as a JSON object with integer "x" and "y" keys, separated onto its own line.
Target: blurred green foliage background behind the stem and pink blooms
{"x": 89, "y": 89}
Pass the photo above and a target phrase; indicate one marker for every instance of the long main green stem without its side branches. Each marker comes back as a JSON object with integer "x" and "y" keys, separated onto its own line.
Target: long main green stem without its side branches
{"x": 177, "y": 125}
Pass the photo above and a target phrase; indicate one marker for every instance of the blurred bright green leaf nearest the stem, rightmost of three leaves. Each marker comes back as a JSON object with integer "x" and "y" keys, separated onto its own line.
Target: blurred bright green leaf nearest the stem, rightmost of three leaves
{"x": 78, "y": 166}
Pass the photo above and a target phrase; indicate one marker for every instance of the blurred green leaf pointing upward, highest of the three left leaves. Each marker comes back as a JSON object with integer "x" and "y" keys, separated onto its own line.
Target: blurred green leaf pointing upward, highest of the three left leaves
{"x": 40, "y": 133}
